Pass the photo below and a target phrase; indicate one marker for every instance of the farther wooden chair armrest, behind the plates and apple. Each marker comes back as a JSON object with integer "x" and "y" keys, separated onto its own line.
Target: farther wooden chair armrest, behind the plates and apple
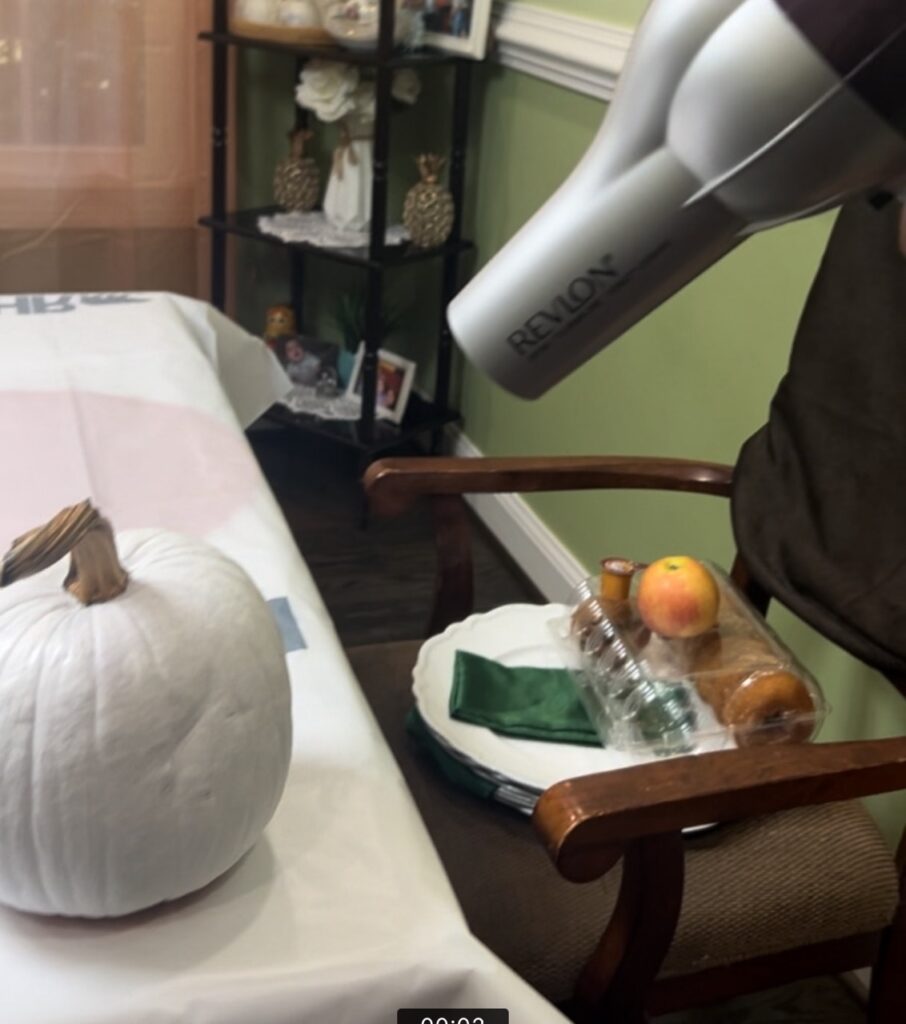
{"x": 393, "y": 485}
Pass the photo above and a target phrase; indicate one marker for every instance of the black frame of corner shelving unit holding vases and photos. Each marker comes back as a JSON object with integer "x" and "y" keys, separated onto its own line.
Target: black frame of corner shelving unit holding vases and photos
{"x": 369, "y": 435}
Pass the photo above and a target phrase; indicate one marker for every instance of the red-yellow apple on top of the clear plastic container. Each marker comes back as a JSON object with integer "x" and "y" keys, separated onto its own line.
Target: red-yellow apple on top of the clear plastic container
{"x": 678, "y": 598}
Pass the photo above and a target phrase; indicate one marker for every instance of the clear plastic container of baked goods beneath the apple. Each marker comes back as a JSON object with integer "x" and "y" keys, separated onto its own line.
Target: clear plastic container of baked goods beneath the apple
{"x": 737, "y": 684}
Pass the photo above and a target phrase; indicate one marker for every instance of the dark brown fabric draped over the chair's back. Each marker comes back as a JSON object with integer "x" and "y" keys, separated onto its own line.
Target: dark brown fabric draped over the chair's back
{"x": 819, "y": 501}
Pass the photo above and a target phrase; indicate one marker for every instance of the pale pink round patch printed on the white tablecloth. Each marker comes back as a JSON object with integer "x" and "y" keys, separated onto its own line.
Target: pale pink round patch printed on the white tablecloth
{"x": 144, "y": 463}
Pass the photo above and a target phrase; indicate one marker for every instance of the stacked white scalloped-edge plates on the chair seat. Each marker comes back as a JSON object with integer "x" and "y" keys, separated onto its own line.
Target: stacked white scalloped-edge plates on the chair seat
{"x": 522, "y": 770}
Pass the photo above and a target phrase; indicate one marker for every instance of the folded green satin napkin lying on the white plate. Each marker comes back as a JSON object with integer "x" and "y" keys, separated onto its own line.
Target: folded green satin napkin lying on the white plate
{"x": 534, "y": 704}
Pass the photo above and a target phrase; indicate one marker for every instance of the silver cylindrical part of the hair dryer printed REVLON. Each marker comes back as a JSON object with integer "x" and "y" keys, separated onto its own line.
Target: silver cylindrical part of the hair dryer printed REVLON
{"x": 574, "y": 280}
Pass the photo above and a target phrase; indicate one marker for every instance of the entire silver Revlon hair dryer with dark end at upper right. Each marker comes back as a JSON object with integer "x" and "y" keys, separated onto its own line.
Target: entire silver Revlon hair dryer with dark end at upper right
{"x": 731, "y": 117}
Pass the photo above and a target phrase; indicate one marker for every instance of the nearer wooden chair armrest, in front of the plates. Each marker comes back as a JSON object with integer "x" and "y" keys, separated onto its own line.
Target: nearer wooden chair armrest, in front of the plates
{"x": 584, "y": 822}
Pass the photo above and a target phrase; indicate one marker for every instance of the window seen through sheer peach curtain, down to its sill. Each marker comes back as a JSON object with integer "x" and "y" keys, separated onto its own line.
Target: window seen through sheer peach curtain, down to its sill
{"x": 103, "y": 114}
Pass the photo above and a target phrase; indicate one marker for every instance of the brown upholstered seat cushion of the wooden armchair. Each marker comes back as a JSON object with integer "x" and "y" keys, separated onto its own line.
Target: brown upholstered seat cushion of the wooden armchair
{"x": 755, "y": 888}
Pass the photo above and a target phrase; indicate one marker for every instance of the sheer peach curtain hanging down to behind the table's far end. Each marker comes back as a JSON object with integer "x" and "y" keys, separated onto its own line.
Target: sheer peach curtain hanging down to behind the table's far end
{"x": 104, "y": 146}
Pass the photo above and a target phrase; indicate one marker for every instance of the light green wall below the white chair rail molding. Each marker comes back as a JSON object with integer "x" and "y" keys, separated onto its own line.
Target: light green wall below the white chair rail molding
{"x": 695, "y": 379}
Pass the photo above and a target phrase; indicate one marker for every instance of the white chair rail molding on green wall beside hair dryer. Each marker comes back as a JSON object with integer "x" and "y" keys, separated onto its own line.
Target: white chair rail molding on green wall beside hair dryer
{"x": 579, "y": 54}
